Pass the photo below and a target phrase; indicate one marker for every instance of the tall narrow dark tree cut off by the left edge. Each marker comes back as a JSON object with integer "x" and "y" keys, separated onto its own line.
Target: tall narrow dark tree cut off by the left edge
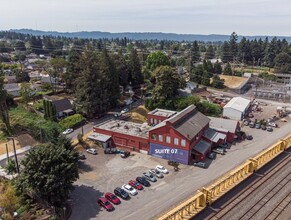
{"x": 3, "y": 106}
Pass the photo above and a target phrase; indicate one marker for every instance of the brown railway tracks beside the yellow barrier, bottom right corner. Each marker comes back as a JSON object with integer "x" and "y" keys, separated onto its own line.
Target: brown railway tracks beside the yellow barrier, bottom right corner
{"x": 264, "y": 195}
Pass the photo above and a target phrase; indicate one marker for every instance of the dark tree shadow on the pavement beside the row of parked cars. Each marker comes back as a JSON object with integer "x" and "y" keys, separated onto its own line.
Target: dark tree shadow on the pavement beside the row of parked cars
{"x": 84, "y": 202}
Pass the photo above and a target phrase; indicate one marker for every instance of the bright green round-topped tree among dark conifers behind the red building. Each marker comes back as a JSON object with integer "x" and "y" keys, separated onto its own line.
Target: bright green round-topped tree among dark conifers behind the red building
{"x": 156, "y": 59}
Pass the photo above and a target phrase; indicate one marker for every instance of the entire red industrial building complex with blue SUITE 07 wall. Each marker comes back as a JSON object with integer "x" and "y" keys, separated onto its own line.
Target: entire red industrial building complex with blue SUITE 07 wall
{"x": 183, "y": 137}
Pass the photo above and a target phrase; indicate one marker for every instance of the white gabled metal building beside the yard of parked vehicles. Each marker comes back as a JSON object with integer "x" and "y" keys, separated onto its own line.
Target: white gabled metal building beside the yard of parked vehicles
{"x": 236, "y": 108}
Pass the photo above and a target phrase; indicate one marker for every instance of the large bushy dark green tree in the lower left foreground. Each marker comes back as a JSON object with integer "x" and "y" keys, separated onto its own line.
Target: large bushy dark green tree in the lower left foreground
{"x": 49, "y": 171}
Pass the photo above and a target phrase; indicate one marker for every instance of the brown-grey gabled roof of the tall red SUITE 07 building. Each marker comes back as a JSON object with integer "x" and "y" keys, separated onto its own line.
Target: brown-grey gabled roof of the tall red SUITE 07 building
{"x": 189, "y": 122}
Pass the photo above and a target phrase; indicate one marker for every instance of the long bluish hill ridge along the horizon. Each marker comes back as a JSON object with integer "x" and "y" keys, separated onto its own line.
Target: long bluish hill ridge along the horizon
{"x": 141, "y": 36}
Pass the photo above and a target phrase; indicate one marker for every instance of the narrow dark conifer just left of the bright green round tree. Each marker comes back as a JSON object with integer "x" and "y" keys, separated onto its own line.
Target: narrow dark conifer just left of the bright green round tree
{"x": 135, "y": 75}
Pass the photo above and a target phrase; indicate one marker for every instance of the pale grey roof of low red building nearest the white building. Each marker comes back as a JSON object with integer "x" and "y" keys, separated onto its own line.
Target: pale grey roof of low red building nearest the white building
{"x": 222, "y": 124}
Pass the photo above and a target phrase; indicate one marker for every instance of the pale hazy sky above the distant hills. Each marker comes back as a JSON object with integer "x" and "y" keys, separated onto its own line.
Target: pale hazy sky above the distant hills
{"x": 245, "y": 17}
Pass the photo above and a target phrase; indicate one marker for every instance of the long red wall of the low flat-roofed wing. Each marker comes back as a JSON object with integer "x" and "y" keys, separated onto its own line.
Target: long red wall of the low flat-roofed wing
{"x": 126, "y": 141}
